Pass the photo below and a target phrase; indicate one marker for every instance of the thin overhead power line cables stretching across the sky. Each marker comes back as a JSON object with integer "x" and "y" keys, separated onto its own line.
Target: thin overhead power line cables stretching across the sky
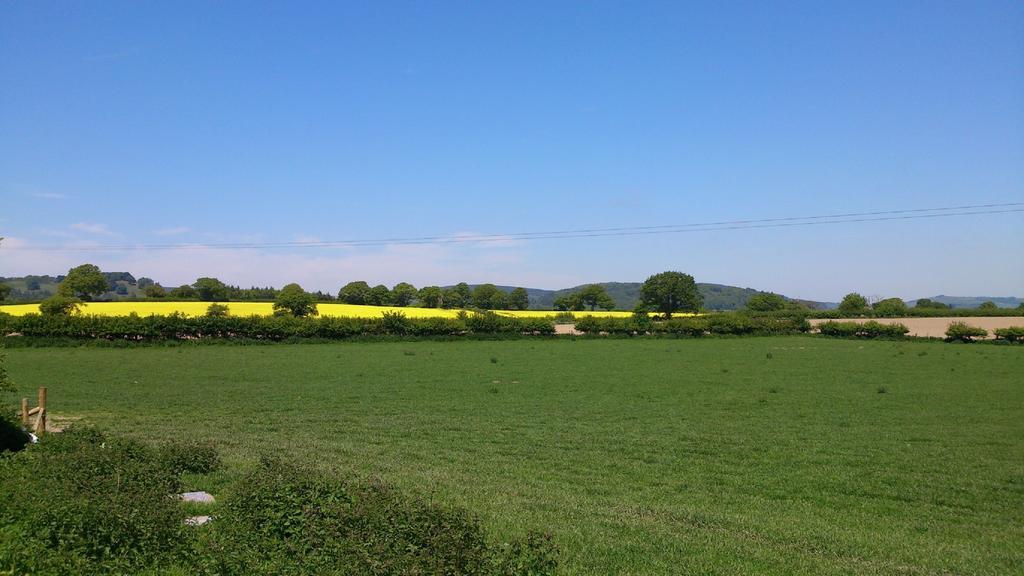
{"x": 788, "y": 222}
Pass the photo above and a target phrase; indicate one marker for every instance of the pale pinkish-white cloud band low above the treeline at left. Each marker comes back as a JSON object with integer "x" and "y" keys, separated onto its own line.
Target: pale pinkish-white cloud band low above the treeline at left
{"x": 316, "y": 270}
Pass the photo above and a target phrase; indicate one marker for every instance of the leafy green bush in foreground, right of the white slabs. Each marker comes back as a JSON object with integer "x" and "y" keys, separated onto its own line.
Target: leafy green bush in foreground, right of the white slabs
{"x": 281, "y": 519}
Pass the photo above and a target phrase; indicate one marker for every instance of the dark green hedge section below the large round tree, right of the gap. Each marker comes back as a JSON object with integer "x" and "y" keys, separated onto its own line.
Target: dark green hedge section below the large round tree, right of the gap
{"x": 716, "y": 325}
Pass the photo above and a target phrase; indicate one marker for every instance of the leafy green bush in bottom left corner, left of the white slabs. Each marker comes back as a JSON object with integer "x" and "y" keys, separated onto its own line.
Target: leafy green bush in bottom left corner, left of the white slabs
{"x": 80, "y": 503}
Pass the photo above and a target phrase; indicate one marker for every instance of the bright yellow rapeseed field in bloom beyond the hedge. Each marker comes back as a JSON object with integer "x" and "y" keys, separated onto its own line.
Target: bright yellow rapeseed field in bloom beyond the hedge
{"x": 267, "y": 309}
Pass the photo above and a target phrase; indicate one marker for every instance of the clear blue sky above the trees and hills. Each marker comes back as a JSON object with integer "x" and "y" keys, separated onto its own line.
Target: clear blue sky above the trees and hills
{"x": 164, "y": 124}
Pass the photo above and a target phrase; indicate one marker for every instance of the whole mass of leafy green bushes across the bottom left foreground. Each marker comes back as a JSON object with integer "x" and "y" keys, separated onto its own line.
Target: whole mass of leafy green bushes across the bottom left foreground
{"x": 86, "y": 503}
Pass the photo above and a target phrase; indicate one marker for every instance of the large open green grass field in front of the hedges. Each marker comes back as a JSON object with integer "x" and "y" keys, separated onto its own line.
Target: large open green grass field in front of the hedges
{"x": 784, "y": 456}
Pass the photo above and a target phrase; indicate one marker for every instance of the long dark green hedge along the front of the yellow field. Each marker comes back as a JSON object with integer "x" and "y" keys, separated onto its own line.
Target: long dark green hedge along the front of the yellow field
{"x": 181, "y": 327}
